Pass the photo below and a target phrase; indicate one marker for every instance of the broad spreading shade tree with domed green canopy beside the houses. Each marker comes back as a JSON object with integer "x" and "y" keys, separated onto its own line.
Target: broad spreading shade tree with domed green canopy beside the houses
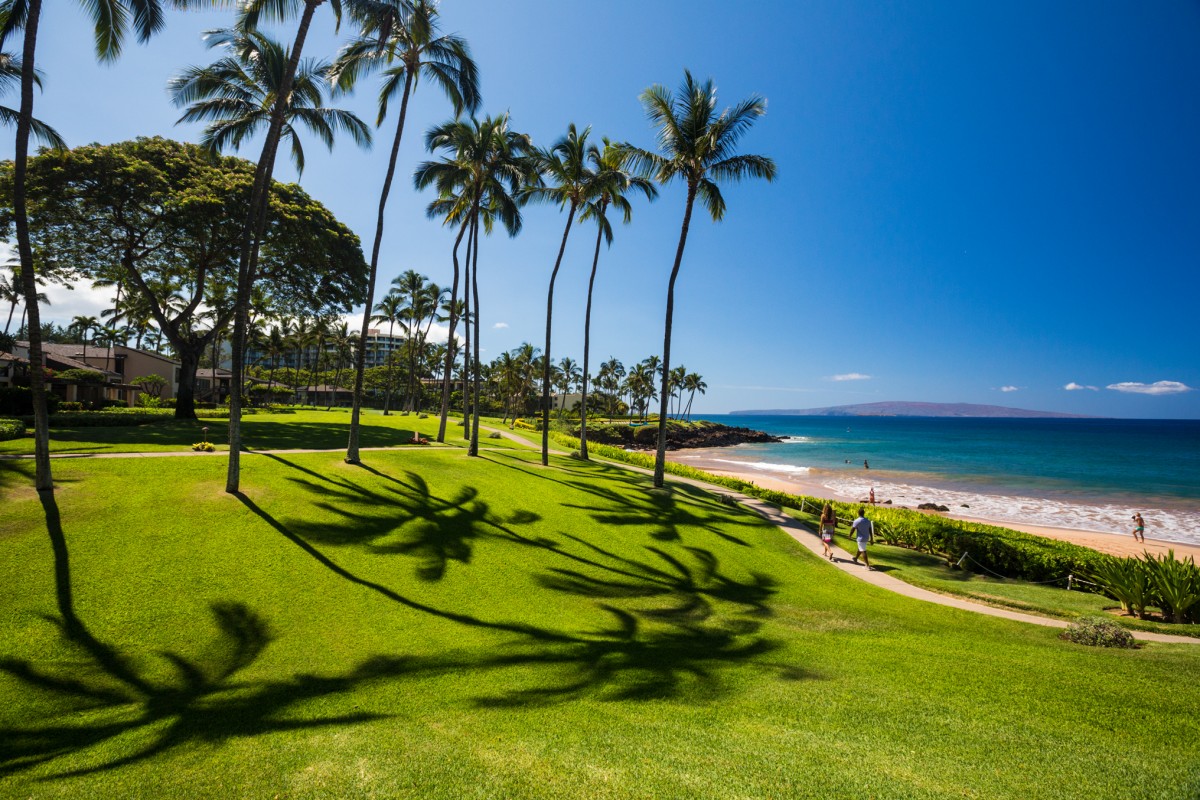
{"x": 164, "y": 216}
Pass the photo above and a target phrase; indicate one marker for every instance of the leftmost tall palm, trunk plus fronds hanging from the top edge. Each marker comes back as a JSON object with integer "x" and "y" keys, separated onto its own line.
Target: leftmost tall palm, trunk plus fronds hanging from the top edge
{"x": 111, "y": 20}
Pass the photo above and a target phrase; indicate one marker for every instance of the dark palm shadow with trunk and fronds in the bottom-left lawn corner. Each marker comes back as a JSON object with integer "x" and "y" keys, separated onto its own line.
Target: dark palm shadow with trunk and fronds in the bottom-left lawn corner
{"x": 202, "y": 701}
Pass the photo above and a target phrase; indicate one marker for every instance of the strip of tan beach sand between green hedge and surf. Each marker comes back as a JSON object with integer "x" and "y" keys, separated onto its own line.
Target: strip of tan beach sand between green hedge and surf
{"x": 807, "y": 483}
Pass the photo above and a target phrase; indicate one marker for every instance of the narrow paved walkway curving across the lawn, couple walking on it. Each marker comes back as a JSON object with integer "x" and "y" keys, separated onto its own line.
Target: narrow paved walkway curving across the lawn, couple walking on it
{"x": 791, "y": 526}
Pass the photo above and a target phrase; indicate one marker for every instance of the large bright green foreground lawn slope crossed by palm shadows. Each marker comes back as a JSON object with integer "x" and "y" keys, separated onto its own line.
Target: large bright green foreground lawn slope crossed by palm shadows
{"x": 435, "y": 627}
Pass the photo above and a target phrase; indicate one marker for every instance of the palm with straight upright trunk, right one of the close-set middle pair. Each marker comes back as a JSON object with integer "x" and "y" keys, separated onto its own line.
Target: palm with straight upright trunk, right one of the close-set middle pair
{"x": 484, "y": 166}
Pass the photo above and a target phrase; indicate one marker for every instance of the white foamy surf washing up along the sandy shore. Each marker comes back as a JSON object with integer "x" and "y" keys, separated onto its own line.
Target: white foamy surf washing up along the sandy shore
{"x": 1173, "y": 525}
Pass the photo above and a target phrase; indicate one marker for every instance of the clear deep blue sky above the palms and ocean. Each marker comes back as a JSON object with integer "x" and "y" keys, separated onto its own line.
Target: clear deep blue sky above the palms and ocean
{"x": 976, "y": 203}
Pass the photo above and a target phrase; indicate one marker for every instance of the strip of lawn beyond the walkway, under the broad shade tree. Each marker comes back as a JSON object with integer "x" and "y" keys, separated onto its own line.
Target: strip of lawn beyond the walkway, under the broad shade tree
{"x": 308, "y": 430}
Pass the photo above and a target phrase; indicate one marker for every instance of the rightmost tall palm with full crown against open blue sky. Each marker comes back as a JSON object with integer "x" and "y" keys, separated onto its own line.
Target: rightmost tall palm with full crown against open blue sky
{"x": 698, "y": 147}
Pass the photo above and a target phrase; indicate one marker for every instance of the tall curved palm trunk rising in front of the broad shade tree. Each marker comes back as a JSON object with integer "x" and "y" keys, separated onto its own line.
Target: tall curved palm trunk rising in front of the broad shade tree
{"x": 256, "y": 224}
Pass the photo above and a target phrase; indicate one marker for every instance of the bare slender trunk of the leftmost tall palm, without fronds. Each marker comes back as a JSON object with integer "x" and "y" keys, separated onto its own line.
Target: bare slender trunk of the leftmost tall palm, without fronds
{"x": 43, "y": 479}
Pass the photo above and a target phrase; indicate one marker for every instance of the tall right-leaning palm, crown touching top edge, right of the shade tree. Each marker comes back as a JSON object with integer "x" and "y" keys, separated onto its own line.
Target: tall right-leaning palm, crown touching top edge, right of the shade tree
{"x": 400, "y": 38}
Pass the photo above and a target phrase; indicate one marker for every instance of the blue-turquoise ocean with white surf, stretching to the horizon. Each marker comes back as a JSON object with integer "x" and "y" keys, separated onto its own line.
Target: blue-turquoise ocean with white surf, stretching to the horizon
{"x": 1077, "y": 474}
